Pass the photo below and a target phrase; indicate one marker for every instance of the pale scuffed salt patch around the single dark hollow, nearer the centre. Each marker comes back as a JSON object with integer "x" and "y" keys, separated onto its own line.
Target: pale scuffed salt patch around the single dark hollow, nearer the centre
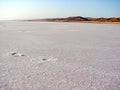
{"x": 43, "y": 59}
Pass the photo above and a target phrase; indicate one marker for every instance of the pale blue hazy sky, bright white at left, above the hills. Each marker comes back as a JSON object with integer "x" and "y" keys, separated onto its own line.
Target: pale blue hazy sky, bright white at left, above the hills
{"x": 33, "y": 9}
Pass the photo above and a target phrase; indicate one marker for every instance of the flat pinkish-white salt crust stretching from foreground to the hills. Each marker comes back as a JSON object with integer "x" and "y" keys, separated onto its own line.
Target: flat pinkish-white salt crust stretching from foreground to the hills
{"x": 59, "y": 56}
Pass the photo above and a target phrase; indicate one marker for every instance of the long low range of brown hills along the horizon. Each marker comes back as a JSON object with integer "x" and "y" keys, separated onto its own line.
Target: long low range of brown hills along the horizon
{"x": 80, "y": 19}
